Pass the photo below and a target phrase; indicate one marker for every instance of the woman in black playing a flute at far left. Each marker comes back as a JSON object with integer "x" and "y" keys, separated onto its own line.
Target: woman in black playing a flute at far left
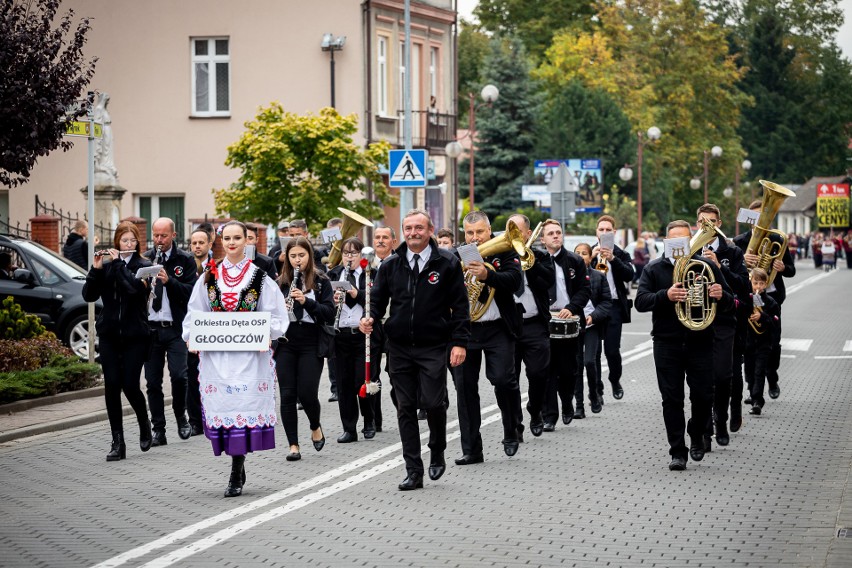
{"x": 122, "y": 327}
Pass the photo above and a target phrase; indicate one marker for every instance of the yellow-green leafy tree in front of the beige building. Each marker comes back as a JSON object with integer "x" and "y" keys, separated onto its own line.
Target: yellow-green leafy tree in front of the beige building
{"x": 304, "y": 167}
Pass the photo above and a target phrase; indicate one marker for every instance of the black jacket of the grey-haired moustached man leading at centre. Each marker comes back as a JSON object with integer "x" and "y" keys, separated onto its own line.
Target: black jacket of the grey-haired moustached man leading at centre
{"x": 430, "y": 311}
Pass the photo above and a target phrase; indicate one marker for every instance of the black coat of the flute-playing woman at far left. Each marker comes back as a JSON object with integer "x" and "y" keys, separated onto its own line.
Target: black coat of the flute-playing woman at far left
{"x": 125, "y": 298}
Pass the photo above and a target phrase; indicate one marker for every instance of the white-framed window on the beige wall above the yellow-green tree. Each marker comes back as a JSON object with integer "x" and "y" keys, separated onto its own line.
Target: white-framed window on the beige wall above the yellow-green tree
{"x": 211, "y": 77}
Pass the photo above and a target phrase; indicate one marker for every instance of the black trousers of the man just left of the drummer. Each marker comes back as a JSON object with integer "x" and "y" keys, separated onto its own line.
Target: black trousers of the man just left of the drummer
{"x": 533, "y": 348}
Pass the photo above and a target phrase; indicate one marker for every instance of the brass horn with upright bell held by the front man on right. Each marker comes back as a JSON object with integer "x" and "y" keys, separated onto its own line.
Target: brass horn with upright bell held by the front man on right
{"x": 698, "y": 311}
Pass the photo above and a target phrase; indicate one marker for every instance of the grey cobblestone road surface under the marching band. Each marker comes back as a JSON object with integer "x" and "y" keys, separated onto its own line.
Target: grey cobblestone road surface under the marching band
{"x": 596, "y": 492}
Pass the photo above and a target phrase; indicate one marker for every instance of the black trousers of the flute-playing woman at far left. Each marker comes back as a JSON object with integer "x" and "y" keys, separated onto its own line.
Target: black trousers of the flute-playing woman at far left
{"x": 122, "y": 361}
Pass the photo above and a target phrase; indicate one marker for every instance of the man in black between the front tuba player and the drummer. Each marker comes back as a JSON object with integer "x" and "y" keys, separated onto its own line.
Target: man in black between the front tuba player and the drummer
{"x": 533, "y": 344}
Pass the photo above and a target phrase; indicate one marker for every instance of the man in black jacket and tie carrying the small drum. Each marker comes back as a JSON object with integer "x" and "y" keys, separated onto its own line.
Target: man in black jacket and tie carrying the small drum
{"x": 570, "y": 292}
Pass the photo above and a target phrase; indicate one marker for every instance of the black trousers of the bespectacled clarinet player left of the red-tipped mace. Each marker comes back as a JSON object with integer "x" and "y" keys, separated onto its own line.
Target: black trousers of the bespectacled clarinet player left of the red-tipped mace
{"x": 349, "y": 367}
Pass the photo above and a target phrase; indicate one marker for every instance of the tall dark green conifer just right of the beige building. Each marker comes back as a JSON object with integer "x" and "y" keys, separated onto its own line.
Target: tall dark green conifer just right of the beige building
{"x": 504, "y": 130}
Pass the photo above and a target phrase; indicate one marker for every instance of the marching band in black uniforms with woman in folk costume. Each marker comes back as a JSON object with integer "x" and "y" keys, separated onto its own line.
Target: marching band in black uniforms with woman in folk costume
{"x": 432, "y": 309}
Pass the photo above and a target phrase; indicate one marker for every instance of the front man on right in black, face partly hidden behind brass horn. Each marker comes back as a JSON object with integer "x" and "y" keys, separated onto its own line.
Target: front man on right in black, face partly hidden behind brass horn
{"x": 679, "y": 351}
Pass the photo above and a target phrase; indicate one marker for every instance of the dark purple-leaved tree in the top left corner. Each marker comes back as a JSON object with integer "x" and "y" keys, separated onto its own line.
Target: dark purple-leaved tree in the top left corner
{"x": 44, "y": 72}
